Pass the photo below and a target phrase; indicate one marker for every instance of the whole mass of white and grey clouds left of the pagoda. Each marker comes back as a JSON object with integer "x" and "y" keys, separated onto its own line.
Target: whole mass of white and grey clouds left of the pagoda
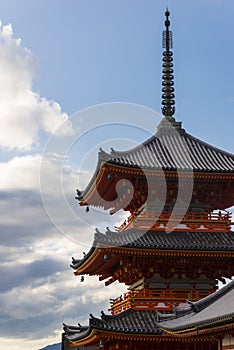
{"x": 38, "y": 291}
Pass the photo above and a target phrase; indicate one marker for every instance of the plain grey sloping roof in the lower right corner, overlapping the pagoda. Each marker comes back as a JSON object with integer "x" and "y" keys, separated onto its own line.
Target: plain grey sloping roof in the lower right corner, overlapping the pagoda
{"x": 215, "y": 308}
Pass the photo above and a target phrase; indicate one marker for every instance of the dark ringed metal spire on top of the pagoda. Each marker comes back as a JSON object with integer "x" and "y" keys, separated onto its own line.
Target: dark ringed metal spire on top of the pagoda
{"x": 168, "y": 102}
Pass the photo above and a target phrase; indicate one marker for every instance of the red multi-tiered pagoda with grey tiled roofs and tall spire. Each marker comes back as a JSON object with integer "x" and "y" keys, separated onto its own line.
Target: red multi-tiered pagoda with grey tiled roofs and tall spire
{"x": 177, "y": 242}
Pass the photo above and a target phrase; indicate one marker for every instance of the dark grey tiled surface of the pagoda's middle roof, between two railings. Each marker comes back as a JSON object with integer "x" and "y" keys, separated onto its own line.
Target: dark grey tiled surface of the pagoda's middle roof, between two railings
{"x": 160, "y": 240}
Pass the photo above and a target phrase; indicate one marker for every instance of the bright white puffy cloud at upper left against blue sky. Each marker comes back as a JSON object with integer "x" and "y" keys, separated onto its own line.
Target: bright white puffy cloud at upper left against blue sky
{"x": 23, "y": 112}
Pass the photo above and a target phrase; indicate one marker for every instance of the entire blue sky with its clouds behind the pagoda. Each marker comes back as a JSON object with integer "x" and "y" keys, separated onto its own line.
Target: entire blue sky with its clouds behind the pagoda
{"x": 73, "y": 55}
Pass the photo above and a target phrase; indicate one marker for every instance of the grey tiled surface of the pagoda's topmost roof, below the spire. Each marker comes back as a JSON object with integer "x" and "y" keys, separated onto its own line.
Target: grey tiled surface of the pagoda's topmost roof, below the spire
{"x": 173, "y": 149}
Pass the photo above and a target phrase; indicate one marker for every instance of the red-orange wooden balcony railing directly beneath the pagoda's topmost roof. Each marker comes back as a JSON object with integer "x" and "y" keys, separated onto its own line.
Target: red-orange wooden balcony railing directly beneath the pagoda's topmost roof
{"x": 192, "y": 221}
